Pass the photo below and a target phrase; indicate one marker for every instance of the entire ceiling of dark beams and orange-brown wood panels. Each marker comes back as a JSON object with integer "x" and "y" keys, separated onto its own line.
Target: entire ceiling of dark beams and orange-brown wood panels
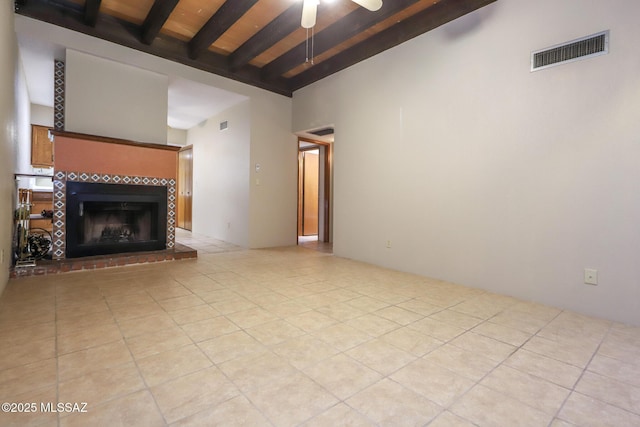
{"x": 258, "y": 42}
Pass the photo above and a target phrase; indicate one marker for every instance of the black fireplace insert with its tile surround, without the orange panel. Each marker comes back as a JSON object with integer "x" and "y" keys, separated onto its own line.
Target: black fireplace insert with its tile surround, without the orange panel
{"x": 137, "y": 191}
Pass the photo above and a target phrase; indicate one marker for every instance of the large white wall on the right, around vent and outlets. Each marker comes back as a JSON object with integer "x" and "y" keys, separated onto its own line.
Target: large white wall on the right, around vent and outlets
{"x": 485, "y": 174}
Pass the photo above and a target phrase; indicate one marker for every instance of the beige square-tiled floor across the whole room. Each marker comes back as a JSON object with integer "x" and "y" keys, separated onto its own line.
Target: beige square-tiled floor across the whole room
{"x": 292, "y": 336}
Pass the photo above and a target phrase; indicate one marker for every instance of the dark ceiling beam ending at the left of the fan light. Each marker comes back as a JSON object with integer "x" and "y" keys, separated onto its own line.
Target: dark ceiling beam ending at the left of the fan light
{"x": 286, "y": 23}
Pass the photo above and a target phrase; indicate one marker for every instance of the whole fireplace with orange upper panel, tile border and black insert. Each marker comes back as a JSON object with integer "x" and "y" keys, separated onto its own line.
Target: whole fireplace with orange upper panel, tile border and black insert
{"x": 101, "y": 188}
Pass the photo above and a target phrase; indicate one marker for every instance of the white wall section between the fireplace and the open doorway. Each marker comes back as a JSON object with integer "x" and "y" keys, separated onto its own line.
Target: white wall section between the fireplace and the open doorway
{"x": 233, "y": 200}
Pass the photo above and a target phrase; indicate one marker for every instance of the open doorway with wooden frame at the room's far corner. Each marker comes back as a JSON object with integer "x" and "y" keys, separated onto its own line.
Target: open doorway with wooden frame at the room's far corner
{"x": 314, "y": 191}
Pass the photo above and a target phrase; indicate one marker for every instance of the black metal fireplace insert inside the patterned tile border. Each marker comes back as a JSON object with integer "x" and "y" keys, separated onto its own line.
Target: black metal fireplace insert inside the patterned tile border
{"x": 114, "y": 218}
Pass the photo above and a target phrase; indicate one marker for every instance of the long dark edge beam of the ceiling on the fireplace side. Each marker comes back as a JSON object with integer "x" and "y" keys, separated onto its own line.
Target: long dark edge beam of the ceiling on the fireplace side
{"x": 129, "y": 35}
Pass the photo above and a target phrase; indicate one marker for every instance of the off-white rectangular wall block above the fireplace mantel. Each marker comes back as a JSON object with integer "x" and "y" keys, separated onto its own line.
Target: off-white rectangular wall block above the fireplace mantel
{"x": 108, "y": 98}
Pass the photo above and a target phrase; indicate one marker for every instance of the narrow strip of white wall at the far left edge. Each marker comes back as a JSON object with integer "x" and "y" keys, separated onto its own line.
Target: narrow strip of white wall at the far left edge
{"x": 13, "y": 90}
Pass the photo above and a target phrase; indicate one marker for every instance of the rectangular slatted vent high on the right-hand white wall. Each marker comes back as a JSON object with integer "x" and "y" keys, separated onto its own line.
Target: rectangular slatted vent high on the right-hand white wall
{"x": 585, "y": 47}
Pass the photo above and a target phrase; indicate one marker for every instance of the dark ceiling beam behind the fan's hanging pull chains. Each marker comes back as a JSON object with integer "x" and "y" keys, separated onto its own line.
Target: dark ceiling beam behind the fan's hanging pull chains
{"x": 334, "y": 34}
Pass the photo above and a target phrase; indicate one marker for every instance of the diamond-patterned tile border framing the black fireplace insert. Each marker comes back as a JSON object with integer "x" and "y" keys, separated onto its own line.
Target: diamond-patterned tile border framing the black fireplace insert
{"x": 60, "y": 179}
